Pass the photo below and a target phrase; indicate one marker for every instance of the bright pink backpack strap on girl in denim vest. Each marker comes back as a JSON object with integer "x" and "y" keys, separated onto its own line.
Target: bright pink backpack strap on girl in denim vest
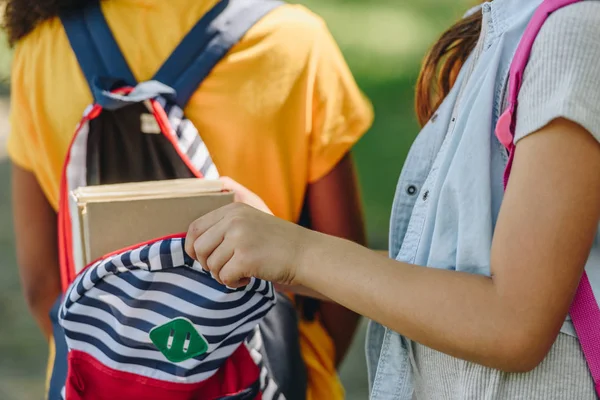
{"x": 584, "y": 310}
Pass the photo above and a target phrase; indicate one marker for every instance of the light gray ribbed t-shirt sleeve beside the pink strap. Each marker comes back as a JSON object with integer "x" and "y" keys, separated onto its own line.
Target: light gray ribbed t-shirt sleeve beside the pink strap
{"x": 562, "y": 77}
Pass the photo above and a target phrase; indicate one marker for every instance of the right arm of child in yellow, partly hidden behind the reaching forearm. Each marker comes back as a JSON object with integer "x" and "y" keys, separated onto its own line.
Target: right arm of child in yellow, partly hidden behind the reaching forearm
{"x": 335, "y": 209}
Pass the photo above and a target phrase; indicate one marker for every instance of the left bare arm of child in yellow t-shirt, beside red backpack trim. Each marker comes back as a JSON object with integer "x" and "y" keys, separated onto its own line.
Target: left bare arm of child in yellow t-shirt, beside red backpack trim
{"x": 37, "y": 249}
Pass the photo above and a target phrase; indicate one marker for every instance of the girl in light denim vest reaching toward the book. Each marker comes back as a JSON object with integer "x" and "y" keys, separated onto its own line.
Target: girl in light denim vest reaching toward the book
{"x": 474, "y": 301}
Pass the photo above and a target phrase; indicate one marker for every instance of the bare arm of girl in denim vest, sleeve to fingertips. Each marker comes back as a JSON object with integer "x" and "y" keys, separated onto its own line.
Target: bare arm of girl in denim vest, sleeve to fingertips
{"x": 545, "y": 230}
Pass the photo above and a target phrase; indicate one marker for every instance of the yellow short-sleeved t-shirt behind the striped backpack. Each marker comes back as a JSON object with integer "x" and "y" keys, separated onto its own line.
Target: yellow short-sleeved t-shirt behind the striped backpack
{"x": 278, "y": 112}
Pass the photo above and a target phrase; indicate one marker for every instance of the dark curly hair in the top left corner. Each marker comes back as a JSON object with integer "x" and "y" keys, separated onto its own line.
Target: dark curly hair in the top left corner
{"x": 23, "y": 16}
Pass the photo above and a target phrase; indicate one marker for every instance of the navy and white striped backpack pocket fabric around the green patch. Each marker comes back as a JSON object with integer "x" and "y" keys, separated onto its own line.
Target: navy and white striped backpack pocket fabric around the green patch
{"x": 111, "y": 307}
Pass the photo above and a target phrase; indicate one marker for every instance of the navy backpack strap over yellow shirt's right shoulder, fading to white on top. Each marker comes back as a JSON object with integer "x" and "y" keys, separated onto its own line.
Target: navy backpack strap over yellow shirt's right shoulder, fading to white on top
{"x": 208, "y": 42}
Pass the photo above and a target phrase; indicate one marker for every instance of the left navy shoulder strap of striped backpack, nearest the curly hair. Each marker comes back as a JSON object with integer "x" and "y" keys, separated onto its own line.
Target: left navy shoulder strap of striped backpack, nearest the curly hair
{"x": 94, "y": 45}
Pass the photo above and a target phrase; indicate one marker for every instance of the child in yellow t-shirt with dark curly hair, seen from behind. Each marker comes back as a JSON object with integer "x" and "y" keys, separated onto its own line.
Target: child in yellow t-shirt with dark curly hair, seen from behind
{"x": 283, "y": 97}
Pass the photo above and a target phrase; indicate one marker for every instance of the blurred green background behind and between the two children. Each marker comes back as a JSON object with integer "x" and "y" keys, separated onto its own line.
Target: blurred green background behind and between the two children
{"x": 384, "y": 42}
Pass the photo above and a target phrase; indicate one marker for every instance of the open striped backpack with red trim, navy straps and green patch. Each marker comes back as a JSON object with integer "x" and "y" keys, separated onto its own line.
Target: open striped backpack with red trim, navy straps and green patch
{"x": 147, "y": 322}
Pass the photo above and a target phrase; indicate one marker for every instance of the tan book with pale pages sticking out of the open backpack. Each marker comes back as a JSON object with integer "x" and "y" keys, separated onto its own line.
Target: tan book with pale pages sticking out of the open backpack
{"x": 108, "y": 218}
